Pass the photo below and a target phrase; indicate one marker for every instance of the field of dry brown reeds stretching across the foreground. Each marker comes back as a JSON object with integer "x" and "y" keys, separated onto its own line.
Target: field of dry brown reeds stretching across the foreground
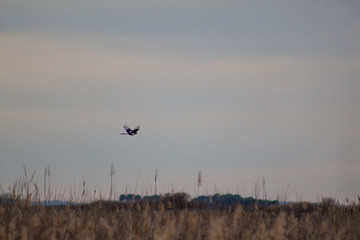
{"x": 114, "y": 220}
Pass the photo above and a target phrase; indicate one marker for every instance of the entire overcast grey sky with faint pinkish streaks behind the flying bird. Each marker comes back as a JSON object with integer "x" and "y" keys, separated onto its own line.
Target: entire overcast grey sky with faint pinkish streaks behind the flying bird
{"x": 241, "y": 91}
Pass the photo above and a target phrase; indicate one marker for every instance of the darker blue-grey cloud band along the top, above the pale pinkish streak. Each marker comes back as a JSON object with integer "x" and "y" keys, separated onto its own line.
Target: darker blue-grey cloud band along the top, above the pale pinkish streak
{"x": 279, "y": 27}
